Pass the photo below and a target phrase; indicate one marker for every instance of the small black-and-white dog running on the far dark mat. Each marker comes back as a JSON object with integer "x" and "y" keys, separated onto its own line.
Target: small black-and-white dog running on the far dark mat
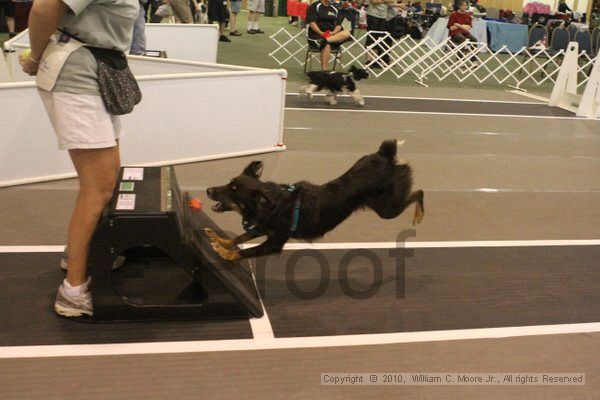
{"x": 335, "y": 83}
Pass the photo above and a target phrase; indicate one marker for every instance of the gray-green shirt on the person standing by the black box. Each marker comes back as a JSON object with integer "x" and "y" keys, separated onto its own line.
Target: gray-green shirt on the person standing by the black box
{"x": 99, "y": 23}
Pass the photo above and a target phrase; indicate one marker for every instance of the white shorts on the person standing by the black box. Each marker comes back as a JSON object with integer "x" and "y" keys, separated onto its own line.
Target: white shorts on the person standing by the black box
{"x": 81, "y": 121}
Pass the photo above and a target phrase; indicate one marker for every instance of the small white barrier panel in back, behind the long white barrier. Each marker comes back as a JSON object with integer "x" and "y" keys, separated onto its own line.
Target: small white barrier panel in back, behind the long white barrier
{"x": 194, "y": 42}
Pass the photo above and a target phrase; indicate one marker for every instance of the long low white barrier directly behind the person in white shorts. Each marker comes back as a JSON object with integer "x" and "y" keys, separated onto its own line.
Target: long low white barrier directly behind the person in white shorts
{"x": 185, "y": 117}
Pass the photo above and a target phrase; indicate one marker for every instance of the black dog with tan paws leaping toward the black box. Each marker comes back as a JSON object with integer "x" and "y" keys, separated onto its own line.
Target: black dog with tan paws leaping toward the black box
{"x": 307, "y": 211}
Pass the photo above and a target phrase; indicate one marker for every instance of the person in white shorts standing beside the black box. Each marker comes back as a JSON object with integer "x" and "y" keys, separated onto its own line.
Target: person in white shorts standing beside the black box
{"x": 71, "y": 95}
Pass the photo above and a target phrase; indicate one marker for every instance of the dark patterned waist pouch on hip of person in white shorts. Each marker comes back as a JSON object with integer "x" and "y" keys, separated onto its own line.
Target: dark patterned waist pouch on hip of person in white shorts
{"x": 118, "y": 87}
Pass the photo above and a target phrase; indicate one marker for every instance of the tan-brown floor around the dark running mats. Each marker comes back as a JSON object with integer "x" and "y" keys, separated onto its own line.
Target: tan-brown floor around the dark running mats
{"x": 485, "y": 178}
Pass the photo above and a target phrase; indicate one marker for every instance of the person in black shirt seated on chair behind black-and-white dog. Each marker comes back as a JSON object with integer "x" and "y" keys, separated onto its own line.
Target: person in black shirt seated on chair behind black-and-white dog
{"x": 325, "y": 29}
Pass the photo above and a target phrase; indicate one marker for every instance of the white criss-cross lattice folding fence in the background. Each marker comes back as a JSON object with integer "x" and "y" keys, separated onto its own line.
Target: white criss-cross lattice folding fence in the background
{"x": 424, "y": 59}
